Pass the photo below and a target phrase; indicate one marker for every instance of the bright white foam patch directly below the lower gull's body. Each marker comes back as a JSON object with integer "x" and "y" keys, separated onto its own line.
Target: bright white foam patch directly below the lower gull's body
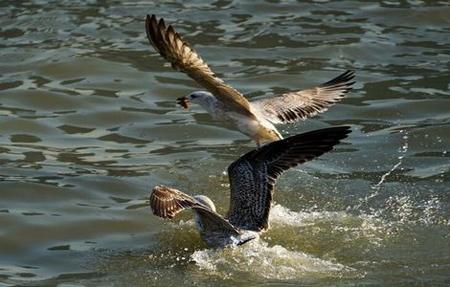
{"x": 259, "y": 260}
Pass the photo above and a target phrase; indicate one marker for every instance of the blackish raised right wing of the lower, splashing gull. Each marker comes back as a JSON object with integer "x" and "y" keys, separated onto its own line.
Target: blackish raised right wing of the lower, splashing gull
{"x": 253, "y": 176}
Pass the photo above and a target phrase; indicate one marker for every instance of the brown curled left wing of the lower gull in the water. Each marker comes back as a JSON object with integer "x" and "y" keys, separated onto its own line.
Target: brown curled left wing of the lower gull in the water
{"x": 167, "y": 202}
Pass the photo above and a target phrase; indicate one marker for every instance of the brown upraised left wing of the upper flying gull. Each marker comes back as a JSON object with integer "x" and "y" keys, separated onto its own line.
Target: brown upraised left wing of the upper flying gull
{"x": 183, "y": 57}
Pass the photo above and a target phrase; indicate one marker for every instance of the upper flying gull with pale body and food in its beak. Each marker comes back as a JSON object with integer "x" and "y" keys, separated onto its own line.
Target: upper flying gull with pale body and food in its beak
{"x": 255, "y": 118}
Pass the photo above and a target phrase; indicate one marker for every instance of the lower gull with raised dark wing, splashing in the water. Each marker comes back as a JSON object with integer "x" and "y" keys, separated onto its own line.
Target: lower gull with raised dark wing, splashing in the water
{"x": 252, "y": 179}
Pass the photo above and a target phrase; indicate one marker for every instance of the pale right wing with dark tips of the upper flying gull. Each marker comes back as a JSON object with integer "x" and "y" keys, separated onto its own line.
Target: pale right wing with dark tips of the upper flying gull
{"x": 291, "y": 107}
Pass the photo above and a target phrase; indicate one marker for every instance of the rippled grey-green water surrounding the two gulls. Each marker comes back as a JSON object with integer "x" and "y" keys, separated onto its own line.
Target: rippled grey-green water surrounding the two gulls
{"x": 89, "y": 123}
